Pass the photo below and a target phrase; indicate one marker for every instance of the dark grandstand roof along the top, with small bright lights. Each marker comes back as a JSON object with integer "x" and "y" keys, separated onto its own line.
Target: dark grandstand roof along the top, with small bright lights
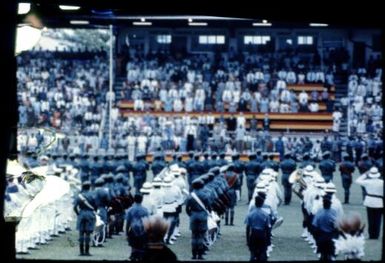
{"x": 176, "y": 14}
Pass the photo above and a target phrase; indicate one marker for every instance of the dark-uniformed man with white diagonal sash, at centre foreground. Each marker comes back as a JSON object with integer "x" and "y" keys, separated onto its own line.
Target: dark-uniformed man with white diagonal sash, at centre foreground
{"x": 196, "y": 210}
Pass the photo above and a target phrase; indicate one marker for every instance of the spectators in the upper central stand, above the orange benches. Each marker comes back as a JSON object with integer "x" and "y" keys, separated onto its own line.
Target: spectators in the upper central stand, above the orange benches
{"x": 204, "y": 83}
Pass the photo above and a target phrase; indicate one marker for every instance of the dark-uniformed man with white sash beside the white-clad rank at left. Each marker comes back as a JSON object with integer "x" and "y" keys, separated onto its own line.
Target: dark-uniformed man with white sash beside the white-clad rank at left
{"x": 85, "y": 207}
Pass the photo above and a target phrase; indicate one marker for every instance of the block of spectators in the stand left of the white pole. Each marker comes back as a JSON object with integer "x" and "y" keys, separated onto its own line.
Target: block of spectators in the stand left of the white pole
{"x": 65, "y": 92}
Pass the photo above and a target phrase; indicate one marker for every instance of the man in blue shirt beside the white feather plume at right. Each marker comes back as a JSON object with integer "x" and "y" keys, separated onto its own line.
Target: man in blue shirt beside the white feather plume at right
{"x": 324, "y": 229}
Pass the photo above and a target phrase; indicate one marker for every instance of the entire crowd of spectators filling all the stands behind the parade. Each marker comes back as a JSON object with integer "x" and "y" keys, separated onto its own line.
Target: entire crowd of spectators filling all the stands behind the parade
{"x": 69, "y": 92}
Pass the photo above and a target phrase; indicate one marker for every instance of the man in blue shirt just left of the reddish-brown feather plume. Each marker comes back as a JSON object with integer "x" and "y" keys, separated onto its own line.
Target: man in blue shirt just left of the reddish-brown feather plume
{"x": 136, "y": 234}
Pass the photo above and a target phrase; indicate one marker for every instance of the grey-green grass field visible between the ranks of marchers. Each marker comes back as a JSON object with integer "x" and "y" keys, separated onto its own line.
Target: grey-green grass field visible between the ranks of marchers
{"x": 289, "y": 246}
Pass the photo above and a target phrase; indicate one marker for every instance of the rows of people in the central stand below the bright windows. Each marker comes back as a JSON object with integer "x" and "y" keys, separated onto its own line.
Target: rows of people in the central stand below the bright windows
{"x": 201, "y": 85}
